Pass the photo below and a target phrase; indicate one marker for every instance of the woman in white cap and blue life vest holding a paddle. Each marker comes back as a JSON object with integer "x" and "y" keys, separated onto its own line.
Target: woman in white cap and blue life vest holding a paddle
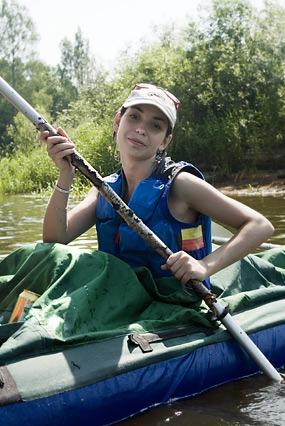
{"x": 173, "y": 199}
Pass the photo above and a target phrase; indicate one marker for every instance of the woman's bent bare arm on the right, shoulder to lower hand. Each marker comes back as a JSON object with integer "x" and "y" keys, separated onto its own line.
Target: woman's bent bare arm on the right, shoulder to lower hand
{"x": 190, "y": 195}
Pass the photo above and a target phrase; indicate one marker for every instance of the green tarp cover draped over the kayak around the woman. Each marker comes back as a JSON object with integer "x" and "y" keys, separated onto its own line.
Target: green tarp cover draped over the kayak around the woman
{"x": 89, "y": 296}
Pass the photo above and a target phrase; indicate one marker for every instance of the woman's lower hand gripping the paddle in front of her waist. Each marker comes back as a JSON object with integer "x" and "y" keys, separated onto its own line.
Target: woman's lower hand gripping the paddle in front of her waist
{"x": 185, "y": 267}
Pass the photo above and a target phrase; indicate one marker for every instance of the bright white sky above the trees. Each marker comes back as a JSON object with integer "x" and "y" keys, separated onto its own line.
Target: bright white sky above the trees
{"x": 110, "y": 25}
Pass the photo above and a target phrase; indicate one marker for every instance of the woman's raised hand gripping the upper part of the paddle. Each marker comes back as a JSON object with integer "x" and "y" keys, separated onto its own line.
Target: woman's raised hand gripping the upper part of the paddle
{"x": 59, "y": 148}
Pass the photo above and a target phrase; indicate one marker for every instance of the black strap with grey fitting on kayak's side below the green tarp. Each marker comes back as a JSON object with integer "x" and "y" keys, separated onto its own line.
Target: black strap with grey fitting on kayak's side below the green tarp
{"x": 143, "y": 340}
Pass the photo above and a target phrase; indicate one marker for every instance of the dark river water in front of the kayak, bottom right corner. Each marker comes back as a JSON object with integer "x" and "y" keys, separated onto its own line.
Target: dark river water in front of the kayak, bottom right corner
{"x": 251, "y": 401}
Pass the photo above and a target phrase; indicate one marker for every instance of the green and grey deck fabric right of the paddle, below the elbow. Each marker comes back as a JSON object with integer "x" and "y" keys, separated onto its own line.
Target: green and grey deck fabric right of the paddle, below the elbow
{"x": 254, "y": 289}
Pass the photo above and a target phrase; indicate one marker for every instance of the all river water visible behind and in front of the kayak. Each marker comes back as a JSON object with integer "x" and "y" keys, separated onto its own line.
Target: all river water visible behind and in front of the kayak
{"x": 252, "y": 401}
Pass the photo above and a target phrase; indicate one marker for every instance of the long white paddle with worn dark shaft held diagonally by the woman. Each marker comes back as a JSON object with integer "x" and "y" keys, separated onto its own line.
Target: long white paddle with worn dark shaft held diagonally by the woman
{"x": 138, "y": 226}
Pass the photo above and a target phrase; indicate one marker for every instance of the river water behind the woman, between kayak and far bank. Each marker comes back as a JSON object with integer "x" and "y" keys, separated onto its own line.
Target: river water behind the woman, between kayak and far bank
{"x": 21, "y": 218}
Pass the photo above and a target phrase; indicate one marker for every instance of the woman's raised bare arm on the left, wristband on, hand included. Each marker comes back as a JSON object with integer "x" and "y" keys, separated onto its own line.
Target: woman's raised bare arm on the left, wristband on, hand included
{"x": 59, "y": 224}
